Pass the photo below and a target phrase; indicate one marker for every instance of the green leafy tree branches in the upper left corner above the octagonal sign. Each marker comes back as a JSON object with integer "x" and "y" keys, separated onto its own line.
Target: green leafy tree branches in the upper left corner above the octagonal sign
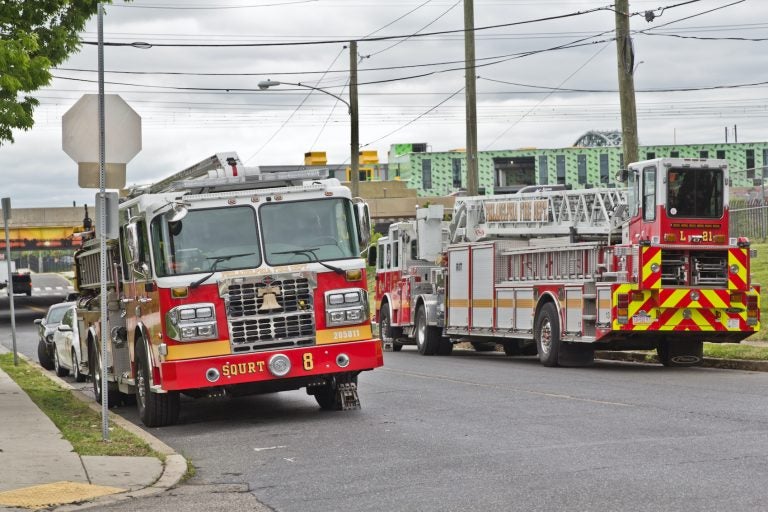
{"x": 35, "y": 35}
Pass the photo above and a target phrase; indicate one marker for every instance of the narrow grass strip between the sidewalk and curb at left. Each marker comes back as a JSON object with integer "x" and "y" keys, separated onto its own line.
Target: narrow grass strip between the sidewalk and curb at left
{"x": 79, "y": 424}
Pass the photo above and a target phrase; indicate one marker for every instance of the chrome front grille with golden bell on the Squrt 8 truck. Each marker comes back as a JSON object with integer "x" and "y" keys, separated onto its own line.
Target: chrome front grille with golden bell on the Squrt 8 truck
{"x": 270, "y": 315}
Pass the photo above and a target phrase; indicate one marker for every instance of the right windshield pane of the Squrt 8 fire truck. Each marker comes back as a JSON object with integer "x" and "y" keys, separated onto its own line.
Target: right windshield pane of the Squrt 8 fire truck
{"x": 302, "y": 231}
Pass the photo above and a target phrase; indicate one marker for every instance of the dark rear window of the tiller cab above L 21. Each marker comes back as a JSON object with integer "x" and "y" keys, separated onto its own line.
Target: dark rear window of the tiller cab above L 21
{"x": 695, "y": 192}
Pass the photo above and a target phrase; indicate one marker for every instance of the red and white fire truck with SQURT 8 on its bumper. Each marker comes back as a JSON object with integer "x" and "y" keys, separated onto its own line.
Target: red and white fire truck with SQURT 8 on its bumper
{"x": 224, "y": 280}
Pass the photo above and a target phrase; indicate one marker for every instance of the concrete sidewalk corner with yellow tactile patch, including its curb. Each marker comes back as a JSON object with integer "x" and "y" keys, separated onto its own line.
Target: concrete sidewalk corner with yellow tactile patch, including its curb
{"x": 39, "y": 469}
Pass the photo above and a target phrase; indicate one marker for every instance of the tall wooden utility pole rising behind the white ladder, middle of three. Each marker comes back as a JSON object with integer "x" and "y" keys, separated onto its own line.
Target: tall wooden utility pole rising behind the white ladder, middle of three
{"x": 471, "y": 97}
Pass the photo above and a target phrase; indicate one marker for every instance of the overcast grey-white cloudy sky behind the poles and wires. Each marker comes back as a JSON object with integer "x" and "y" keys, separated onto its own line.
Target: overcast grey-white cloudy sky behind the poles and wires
{"x": 196, "y": 89}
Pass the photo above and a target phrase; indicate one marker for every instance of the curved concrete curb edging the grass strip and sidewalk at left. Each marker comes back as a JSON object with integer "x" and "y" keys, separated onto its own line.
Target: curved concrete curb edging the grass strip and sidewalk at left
{"x": 174, "y": 465}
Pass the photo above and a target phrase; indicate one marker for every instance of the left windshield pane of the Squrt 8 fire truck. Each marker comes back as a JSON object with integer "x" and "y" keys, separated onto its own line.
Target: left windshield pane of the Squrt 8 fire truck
{"x": 206, "y": 240}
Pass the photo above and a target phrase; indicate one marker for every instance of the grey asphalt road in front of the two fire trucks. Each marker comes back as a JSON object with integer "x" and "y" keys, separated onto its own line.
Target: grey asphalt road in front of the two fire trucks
{"x": 483, "y": 432}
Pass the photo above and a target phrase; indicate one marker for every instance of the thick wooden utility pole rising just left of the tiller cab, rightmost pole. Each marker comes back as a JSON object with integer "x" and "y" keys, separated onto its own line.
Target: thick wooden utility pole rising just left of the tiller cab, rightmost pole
{"x": 625, "y": 59}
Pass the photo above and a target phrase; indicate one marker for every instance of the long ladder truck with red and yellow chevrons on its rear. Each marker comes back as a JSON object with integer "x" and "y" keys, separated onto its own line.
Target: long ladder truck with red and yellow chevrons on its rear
{"x": 561, "y": 273}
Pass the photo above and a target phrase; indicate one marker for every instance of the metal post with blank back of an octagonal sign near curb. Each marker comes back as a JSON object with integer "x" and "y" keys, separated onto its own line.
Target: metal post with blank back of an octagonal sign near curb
{"x": 101, "y": 164}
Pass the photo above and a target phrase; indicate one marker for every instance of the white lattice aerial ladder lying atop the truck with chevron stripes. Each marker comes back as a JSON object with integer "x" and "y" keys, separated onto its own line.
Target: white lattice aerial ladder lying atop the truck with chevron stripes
{"x": 588, "y": 213}
